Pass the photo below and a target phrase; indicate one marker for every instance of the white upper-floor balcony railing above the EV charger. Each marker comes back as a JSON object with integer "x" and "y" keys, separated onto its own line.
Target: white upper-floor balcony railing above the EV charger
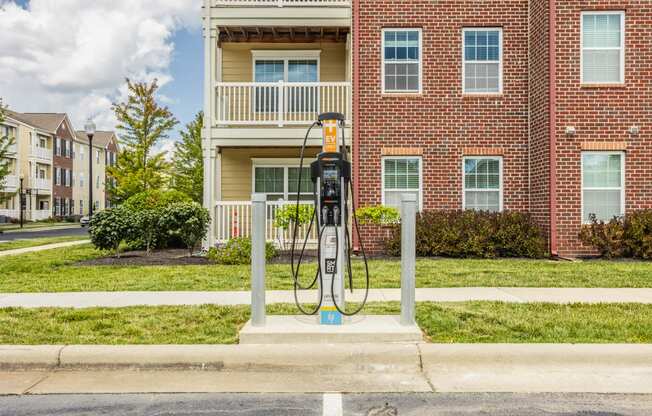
{"x": 279, "y": 103}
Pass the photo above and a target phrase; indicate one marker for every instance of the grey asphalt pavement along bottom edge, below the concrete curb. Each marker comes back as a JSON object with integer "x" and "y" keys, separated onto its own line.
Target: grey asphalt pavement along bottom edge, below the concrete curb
{"x": 313, "y": 404}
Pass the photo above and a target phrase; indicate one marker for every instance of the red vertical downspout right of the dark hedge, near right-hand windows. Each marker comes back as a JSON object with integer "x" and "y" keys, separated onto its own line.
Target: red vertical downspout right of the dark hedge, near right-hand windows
{"x": 552, "y": 31}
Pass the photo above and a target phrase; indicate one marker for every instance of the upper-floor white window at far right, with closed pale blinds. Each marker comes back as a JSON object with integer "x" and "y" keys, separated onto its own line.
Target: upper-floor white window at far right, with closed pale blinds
{"x": 603, "y": 48}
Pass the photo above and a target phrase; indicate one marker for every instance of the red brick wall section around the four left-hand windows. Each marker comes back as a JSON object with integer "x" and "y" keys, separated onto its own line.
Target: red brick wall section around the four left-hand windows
{"x": 441, "y": 122}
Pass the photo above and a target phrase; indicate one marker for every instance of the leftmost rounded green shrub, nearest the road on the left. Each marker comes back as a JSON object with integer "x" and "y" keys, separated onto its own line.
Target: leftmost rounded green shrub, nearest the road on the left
{"x": 109, "y": 228}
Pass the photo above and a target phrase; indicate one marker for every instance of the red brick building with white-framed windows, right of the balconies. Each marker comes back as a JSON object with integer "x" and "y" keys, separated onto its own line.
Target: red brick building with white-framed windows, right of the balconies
{"x": 533, "y": 106}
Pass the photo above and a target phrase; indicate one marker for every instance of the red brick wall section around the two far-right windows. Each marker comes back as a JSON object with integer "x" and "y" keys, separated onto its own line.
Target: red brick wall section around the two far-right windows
{"x": 602, "y": 115}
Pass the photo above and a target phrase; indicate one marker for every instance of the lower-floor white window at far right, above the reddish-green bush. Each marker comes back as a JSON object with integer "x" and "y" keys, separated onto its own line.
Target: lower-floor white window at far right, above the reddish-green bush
{"x": 603, "y": 185}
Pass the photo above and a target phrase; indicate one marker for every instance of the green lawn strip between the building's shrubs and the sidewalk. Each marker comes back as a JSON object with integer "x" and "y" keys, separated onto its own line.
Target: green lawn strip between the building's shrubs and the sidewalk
{"x": 55, "y": 271}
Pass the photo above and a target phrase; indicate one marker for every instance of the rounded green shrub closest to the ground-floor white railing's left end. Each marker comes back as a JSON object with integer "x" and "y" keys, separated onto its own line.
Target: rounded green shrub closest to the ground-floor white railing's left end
{"x": 188, "y": 221}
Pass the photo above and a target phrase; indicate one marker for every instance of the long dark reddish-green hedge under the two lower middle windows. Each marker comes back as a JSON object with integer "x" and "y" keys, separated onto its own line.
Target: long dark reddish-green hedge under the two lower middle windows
{"x": 464, "y": 234}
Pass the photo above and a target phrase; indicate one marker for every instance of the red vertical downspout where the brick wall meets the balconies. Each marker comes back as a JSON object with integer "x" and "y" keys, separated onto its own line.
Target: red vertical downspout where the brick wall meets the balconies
{"x": 355, "y": 99}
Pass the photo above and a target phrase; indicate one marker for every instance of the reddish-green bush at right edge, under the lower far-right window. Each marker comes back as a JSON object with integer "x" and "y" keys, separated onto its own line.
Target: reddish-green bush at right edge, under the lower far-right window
{"x": 621, "y": 237}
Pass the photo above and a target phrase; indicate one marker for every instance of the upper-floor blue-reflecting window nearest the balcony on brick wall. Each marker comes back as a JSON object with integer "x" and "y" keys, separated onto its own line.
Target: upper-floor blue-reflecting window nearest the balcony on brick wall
{"x": 401, "y": 70}
